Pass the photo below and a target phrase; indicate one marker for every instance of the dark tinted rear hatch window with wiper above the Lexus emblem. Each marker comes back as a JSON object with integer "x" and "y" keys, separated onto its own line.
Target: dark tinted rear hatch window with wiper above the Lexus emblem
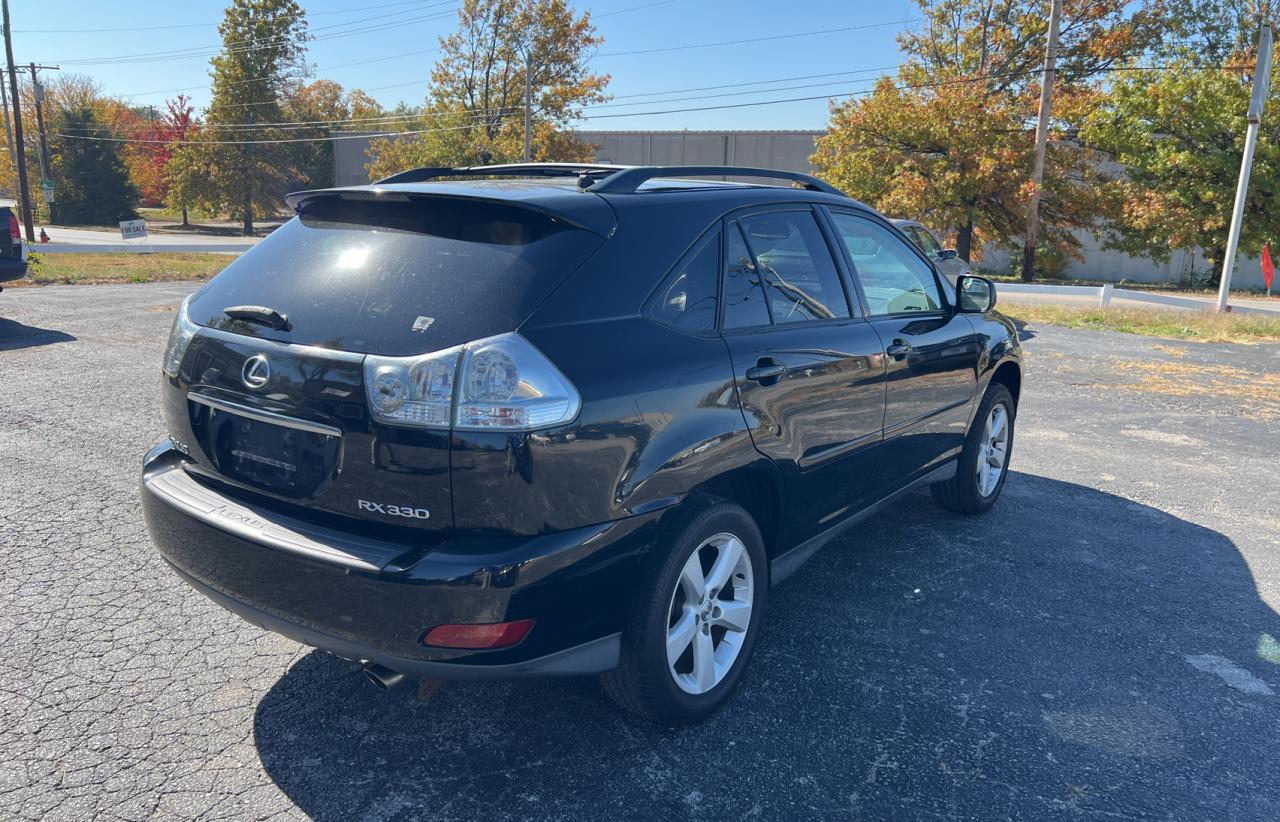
{"x": 399, "y": 278}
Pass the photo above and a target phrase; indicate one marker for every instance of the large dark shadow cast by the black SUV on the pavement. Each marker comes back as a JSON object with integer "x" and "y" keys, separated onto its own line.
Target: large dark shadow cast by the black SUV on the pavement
{"x": 1071, "y": 652}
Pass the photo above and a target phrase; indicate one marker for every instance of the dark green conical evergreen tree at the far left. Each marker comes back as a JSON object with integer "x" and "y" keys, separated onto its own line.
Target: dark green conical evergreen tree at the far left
{"x": 94, "y": 182}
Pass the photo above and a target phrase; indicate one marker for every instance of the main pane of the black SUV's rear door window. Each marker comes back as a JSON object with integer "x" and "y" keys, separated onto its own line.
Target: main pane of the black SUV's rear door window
{"x": 799, "y": 276}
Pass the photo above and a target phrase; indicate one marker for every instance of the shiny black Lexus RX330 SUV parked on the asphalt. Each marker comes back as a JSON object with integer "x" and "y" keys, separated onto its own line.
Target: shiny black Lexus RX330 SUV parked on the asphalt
{"x": 564, "y": 419}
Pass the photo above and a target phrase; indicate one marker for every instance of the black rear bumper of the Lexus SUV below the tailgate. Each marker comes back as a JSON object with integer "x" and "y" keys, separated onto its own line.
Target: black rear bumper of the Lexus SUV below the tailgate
{"x": 373, "y": 601}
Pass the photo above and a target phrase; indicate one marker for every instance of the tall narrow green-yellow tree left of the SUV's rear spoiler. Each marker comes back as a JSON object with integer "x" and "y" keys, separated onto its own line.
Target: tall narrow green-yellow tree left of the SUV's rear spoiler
{"x": 239, "y": 166}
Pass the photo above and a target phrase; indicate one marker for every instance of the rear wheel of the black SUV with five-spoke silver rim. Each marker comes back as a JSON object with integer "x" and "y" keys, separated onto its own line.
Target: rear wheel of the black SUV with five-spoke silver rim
{"x": 715, "y": 601}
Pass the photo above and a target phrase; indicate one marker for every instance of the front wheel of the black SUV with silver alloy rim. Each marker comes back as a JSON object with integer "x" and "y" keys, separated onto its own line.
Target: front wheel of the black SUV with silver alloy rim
{"x": 979, "y": 479}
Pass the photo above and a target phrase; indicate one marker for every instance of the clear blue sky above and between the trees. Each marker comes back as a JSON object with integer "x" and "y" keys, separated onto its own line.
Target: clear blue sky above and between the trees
{"x": 812, "y": 66}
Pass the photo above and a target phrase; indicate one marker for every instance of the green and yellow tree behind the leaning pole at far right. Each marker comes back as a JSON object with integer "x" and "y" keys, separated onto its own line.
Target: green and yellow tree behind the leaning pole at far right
{"x": 1178, "y": 135}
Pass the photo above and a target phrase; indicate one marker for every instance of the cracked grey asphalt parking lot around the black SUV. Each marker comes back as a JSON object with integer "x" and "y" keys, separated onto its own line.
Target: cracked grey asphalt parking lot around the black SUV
{"x": 1103, "y": 645}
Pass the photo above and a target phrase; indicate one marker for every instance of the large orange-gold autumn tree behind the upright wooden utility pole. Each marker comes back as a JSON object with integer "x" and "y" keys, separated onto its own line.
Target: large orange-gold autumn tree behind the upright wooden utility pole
{"x": 949, "y": 140}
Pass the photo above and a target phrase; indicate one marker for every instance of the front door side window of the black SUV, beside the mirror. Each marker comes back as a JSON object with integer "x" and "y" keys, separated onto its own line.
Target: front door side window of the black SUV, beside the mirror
{"x": 895, "y": 280}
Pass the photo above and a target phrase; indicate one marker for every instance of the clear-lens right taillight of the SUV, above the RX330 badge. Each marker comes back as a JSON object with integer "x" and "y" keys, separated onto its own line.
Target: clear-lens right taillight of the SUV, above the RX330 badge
{"x": 495, "y": 385}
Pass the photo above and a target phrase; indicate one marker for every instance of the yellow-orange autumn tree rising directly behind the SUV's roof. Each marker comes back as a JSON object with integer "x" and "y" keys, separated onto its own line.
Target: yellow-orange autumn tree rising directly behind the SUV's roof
{"x": 476, "y": 109}
